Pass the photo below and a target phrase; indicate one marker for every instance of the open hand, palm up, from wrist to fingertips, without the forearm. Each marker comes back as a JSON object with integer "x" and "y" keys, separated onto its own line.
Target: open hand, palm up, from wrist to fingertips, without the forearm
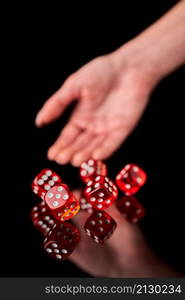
{"x": 111, "y": 97}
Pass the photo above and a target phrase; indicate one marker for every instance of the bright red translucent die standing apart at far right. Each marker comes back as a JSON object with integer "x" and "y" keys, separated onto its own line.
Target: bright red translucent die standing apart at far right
{"x": 131, "y": 179}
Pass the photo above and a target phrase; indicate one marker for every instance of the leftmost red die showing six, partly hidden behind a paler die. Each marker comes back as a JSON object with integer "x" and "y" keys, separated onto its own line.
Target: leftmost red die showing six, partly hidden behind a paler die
{"x": 44, "y": 181}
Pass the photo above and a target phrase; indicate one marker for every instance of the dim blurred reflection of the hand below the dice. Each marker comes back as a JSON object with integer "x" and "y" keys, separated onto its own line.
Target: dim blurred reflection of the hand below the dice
{"x": 125, "y": 254}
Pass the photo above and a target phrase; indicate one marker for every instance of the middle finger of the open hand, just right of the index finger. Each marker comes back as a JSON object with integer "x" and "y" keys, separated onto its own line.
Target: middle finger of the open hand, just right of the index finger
{"x": 66, "y": 154}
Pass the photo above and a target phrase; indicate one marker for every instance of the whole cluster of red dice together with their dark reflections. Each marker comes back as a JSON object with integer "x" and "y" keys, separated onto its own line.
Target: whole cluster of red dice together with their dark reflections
{"x": 52, "y": 215}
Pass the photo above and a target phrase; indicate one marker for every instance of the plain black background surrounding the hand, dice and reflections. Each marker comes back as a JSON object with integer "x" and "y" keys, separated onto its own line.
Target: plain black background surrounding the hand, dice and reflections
{"x": 42, "y": 48}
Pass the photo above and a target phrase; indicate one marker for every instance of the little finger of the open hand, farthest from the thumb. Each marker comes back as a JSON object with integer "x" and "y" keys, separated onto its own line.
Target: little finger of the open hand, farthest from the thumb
{"x": 111, "y": 144}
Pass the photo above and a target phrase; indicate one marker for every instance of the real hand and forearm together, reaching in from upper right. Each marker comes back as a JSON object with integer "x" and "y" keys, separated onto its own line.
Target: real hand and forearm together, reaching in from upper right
{"x": 112, "y": 91}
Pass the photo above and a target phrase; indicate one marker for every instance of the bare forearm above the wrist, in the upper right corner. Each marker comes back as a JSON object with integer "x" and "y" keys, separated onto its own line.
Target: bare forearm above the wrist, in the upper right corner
{"x": 159, "y": 49}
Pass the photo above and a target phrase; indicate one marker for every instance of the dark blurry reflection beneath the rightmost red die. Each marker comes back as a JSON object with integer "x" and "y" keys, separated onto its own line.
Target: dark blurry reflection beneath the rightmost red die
{"x": 130, "y": 208}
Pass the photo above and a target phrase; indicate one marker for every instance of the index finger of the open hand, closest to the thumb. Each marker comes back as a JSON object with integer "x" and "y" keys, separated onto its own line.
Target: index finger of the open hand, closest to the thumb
{"x": 67, "y": 136}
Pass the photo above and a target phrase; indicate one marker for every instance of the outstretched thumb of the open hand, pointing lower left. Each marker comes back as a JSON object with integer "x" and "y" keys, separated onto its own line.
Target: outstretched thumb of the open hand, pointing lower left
{"x": 55, "y": 105}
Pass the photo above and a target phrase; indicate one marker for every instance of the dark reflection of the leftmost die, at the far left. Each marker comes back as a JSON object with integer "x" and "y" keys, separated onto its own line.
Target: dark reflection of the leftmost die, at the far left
{"x": 42, "y": 218}
